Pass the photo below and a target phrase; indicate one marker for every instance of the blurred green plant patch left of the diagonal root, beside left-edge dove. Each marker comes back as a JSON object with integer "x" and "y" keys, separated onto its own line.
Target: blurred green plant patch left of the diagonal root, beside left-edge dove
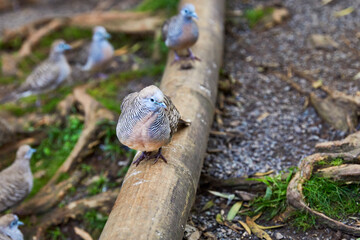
{"x": 54, "y": 150}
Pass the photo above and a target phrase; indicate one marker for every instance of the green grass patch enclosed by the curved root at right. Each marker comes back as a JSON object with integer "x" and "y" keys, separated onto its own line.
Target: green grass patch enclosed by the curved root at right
{"x": 335, "y": 199}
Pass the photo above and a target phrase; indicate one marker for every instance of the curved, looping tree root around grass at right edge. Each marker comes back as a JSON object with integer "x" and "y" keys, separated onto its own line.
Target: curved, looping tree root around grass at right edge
{"x": 349, "y": 171}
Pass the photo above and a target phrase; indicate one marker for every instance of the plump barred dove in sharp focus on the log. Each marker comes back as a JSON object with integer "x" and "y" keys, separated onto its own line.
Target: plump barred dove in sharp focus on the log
{"x": 147, "y": 122}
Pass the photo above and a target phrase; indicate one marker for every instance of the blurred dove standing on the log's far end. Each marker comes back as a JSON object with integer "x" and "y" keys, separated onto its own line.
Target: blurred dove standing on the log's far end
{"x": 181, "y": 32}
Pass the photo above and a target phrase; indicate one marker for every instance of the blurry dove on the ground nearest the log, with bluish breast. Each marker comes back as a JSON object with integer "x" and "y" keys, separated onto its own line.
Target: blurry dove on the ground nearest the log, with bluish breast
{"x": 100, "y": 50}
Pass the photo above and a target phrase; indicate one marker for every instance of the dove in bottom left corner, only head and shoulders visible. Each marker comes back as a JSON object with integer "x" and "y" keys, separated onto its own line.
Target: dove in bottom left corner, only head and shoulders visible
{"x": 9, "y": 230}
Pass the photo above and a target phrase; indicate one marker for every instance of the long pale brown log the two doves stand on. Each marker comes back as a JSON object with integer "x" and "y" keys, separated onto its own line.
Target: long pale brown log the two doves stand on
{"x": 155, "y": 200}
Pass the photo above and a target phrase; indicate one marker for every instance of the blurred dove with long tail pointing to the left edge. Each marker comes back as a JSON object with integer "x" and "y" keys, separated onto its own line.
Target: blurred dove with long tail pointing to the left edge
{"x": 45, "y": 77}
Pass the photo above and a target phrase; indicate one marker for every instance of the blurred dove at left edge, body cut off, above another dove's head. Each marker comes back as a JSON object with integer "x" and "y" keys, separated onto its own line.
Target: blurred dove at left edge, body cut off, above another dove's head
{"x": 16, "y": 181}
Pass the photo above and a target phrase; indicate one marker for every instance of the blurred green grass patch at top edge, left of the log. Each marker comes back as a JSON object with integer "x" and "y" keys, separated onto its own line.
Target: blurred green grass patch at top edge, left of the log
{"x": 170, "y": 6}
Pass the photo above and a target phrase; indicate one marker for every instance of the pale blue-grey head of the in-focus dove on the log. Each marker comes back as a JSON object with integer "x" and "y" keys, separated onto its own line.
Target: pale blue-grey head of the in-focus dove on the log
{"x": 152, "y": 98}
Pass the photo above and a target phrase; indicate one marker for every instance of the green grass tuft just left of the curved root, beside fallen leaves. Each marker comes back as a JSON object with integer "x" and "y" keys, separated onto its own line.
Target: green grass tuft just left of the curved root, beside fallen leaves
{"x": 274, "y": 200}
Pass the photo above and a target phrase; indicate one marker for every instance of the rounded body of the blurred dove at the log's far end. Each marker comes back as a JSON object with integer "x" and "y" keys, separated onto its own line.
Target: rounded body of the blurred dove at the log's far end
{"x": 180, "y": 32}
